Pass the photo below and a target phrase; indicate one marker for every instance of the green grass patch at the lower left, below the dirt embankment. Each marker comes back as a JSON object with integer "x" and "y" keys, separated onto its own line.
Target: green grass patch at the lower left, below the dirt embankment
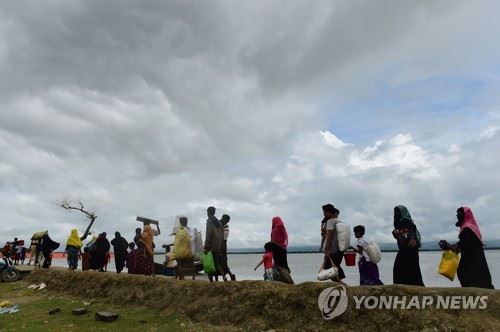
{"x": 35, "y": 306}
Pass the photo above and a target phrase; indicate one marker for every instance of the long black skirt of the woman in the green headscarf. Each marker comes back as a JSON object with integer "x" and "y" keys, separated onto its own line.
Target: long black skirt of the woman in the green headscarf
{"x": 406, "y": 269}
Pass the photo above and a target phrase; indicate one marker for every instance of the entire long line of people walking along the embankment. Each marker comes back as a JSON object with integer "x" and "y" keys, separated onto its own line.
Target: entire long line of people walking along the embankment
{"x": 138, "y": 256}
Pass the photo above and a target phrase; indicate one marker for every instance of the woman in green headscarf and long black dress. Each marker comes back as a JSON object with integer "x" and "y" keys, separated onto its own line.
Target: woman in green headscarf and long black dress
{"x": 406, "y": 266}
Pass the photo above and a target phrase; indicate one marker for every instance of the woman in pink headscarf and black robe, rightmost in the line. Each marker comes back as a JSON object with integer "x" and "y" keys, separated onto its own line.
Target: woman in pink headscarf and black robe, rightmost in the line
{"x": 473, "y": 269}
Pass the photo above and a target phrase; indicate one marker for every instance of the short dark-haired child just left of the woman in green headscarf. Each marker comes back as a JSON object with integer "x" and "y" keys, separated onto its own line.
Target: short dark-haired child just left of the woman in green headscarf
{"x": 368, "y": 271}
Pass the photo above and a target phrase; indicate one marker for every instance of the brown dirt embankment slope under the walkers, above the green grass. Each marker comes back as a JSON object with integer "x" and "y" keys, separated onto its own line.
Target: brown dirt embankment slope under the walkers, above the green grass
{"x": 262, "y": 306}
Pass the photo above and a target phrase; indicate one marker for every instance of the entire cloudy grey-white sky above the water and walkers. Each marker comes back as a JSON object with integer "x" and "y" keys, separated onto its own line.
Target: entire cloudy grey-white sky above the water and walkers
{"x": 260, "y": 108}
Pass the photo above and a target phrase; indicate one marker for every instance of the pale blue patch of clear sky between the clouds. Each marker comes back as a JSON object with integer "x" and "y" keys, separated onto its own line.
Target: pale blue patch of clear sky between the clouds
{"x": 433, "y": 107}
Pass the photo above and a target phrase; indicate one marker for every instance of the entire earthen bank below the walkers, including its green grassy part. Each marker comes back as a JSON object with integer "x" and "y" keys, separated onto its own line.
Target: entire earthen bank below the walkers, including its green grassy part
{"x": 247, "y": 305}
